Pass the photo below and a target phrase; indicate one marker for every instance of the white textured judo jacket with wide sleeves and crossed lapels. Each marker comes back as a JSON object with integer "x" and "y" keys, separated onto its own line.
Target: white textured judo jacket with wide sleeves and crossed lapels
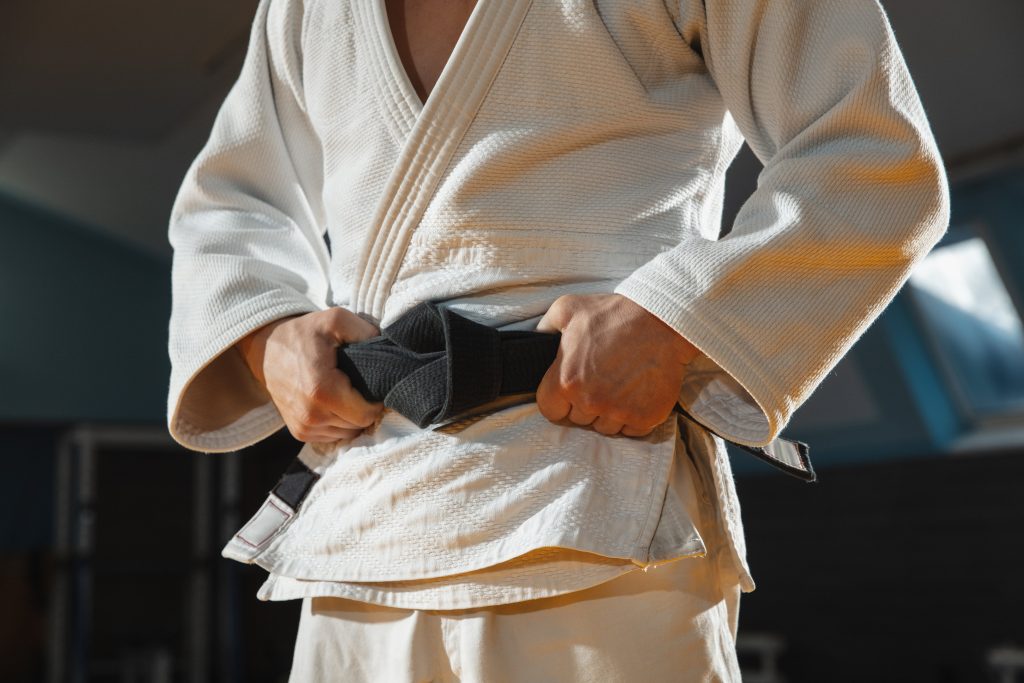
{"x": 569, "y": 147}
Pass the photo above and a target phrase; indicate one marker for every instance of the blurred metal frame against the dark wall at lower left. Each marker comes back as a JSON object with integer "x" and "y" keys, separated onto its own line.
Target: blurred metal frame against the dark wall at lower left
{"x": 217, "y": 488}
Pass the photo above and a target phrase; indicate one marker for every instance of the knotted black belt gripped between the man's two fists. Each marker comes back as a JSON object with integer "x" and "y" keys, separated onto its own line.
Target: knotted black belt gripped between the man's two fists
{"x": 435, "y": 367}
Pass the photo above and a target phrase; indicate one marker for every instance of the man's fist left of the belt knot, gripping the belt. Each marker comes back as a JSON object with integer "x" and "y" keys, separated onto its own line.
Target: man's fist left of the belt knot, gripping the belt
{"x": 295, "y": 359}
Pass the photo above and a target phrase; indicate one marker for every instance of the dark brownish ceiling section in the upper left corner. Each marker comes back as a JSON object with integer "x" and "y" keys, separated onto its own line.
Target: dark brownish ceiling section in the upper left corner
{"x": 116, "y": 70}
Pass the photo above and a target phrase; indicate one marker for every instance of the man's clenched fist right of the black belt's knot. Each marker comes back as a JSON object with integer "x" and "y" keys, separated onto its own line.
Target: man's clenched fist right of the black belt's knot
{"x": 619, "y": 368}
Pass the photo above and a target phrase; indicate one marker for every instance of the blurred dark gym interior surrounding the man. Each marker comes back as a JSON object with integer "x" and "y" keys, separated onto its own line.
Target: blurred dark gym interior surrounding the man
{"x": 904, "y": 564}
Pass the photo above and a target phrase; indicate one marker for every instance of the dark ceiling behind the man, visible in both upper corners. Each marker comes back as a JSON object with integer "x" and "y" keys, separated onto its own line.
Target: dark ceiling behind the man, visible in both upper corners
{"x": 106, "y": 103}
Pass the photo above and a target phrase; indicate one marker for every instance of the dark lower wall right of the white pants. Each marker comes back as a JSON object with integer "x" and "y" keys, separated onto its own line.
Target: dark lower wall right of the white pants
{"x": 901, "y": 572}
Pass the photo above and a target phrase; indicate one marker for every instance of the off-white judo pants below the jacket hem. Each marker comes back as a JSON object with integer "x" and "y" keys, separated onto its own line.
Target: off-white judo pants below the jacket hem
{"x": 675, "y": 624}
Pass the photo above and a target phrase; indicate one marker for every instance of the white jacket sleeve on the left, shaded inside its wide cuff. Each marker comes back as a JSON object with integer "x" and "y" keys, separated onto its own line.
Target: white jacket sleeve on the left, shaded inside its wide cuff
{"x": 247, "y": 230}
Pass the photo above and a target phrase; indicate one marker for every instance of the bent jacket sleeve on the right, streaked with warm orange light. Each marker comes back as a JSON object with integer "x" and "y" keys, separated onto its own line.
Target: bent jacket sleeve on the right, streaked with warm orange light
{"x": 852, "y": 196}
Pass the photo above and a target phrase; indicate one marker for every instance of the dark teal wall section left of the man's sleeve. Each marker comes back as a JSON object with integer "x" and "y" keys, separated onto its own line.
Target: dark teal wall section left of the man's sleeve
{"x": 84, "y": 323}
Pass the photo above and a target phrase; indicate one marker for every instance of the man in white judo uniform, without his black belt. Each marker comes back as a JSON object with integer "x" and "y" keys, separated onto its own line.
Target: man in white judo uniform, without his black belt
{"x": 556, "y": 165}
